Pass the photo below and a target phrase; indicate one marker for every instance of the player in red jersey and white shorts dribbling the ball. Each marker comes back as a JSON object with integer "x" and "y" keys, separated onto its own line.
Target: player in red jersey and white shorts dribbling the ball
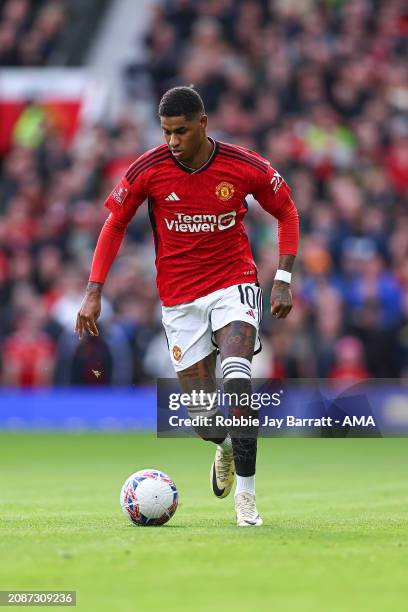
{"x": 206, "y": 276}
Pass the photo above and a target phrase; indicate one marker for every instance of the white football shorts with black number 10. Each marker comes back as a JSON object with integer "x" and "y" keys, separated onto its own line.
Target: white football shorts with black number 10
{"x": 190, "y": 327}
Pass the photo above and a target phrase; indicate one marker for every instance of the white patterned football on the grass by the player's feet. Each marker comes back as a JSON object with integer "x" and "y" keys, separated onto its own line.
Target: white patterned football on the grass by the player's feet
{"x": 149, "y": 497}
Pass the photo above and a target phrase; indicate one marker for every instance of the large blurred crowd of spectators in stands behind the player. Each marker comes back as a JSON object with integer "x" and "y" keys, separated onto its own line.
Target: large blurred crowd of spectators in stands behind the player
{"x": 321, "y": 90}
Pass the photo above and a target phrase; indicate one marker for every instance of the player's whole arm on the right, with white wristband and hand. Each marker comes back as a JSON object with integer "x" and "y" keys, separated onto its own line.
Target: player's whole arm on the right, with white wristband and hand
{"x": 273, "y": 194}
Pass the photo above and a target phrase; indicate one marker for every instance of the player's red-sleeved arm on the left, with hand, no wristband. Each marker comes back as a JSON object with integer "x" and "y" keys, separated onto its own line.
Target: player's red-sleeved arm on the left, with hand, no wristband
{"x": 122, "y": 203}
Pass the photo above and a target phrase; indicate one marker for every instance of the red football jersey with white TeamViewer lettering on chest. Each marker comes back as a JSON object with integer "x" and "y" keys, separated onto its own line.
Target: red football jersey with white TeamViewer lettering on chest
{"x": 197, "y": 217}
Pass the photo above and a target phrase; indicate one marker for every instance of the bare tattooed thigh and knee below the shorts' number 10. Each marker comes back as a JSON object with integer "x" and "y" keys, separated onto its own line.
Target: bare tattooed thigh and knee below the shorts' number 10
{"x": 236, "y": 339}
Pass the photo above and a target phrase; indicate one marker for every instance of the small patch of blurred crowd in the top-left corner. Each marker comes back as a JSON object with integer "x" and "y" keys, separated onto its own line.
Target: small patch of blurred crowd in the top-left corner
{"x": 29, "y": 30}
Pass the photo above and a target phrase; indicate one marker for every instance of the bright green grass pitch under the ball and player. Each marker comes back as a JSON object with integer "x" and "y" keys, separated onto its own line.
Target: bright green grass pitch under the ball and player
{"x": 334, "y": 538}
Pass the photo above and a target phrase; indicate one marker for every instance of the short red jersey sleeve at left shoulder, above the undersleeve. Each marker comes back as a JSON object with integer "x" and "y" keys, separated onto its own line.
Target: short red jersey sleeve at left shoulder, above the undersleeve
{"x": 125, "y": 198}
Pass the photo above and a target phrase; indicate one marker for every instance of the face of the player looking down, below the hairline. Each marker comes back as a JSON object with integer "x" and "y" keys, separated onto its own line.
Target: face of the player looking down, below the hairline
{"x": 184, "y": 136}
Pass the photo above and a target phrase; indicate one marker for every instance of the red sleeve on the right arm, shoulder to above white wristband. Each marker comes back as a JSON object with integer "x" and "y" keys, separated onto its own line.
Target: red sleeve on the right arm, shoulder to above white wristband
{"x": 273, "y": 194}
